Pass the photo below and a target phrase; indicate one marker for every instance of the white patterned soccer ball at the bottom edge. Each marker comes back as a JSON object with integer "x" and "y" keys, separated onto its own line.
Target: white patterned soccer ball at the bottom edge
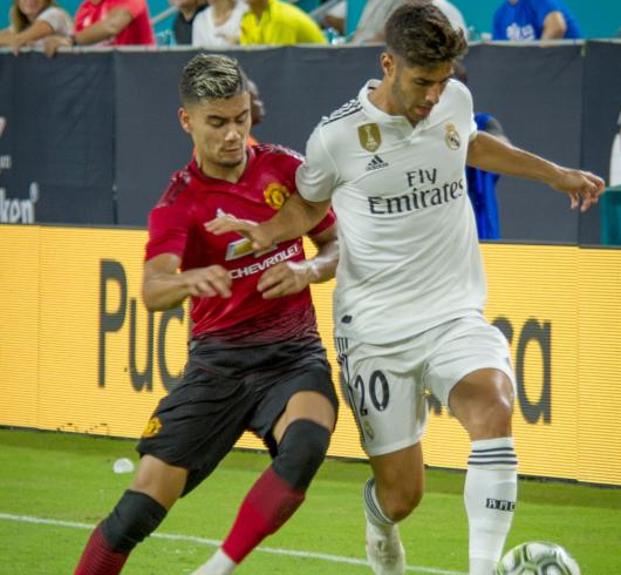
{"x": 537, "y": 558}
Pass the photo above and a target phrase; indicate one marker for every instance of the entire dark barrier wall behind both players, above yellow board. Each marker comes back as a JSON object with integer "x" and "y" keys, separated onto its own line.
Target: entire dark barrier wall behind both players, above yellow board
{"x": 98, "y": 132}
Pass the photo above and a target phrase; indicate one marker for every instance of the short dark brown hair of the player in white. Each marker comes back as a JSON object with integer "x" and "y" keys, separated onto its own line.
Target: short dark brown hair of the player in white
{"x": 421, "y": 34}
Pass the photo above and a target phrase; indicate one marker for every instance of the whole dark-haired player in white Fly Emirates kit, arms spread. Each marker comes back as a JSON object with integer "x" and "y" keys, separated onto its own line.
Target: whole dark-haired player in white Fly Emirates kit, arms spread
{"x": 410, "y": 284}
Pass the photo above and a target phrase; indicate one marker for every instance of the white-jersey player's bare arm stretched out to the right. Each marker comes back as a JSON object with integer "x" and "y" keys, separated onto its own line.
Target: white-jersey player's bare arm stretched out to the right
{"x": 491, "y": 154}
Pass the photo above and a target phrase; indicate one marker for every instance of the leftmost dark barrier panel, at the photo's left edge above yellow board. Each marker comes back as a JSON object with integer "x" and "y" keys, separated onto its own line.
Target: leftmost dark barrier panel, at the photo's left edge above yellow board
{"x": 60, "y": 123}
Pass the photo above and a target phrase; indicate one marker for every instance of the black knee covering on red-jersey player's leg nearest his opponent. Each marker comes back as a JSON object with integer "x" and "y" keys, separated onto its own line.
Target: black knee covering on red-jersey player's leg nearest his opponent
{"x": 301, "y": 452}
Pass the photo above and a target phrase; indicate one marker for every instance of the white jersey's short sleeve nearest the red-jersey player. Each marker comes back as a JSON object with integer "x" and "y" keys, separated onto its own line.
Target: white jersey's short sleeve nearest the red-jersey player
{"x": 317, "y": 177}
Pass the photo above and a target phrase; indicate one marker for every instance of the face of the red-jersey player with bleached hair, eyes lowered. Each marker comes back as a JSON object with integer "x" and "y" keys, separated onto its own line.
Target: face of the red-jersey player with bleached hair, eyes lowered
{"x": 219, "y": 130}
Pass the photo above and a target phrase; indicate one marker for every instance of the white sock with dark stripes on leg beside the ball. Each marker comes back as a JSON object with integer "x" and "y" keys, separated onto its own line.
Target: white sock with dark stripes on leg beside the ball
{"x": 490, "y": 494}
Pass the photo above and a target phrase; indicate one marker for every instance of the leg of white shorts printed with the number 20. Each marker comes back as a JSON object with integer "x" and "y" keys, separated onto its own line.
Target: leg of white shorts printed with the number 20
{"x": 383, "y": 388}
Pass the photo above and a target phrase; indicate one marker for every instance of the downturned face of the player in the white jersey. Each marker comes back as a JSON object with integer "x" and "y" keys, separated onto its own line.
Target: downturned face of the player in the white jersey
{"x": 415, "y": 90}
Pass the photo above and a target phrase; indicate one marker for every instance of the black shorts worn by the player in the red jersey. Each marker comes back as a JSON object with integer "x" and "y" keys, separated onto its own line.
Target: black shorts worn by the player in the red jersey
{"x": 226, "y": 391}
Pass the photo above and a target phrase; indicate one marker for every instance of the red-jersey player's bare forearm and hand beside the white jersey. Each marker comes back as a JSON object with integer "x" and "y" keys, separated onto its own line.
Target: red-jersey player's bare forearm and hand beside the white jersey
{"x": 288, "y": 278}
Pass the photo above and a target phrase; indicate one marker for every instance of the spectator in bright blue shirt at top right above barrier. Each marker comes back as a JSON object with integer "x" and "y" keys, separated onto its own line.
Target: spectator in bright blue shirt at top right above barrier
{"x": 534, "y": 20}
